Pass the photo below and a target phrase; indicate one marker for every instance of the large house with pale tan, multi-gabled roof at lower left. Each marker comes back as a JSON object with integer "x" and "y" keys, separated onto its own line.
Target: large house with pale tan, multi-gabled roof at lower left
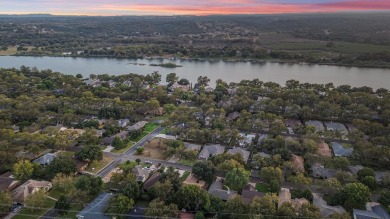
{"x": 28, "y": 188}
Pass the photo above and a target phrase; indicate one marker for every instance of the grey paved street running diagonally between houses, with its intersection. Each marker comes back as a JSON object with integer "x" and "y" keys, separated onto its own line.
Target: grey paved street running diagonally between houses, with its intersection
{"x": 119, "y": 158}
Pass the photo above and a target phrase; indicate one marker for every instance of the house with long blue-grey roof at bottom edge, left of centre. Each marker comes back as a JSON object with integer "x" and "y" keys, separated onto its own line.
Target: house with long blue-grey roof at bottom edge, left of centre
{"x": 96, "y": 208}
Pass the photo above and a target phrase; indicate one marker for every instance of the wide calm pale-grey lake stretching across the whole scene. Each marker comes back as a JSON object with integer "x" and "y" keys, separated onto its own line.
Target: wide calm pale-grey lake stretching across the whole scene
{"x": 227, "y": 71}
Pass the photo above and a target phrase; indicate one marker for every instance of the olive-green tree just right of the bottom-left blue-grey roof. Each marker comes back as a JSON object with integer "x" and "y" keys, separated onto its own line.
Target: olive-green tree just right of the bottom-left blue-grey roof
{"x": 119, "y": 205}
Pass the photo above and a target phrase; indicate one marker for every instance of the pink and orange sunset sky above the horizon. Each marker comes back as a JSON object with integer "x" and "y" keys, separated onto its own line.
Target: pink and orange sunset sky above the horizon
{"x": 186, "y": 7}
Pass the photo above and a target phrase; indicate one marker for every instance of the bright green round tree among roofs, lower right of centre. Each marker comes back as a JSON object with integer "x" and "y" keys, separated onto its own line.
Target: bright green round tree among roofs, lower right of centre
{"x": 237, "y": 179}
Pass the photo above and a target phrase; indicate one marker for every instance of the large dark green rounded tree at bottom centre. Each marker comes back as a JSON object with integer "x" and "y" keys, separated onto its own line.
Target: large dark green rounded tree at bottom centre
{"x": 192, "y": 198}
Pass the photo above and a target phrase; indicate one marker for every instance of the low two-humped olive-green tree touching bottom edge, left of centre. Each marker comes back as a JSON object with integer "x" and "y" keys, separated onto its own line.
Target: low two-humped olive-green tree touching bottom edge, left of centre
{"x": 157, "y": 208}
